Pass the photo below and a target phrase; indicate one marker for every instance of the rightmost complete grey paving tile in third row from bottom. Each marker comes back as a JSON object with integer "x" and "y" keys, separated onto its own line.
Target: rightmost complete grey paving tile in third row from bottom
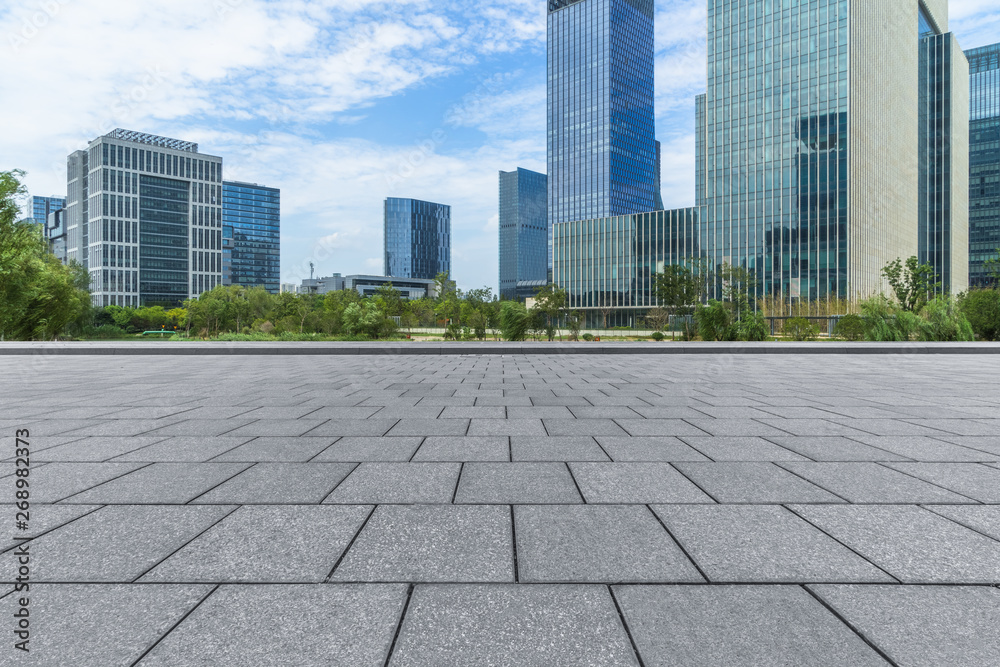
{"x": 867, "y": 482}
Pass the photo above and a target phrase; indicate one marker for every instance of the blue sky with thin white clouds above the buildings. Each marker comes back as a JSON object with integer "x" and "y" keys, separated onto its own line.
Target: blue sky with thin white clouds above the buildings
{"x": 340, "y": 103}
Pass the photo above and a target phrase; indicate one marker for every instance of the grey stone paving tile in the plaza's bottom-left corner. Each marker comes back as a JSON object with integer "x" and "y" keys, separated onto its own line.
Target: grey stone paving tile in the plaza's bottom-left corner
{"x": 103, "y": 624}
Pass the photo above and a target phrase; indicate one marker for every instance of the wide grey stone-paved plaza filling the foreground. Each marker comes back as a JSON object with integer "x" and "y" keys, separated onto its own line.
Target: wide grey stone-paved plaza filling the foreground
{"x": 507, "y": 509}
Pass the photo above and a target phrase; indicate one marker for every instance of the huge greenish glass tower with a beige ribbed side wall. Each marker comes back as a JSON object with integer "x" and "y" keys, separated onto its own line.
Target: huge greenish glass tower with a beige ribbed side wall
{"x": 830, "y": 142}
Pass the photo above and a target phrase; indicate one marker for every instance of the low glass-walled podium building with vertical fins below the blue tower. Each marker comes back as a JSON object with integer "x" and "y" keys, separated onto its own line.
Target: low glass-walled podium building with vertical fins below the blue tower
{"x": 609, "y": 263}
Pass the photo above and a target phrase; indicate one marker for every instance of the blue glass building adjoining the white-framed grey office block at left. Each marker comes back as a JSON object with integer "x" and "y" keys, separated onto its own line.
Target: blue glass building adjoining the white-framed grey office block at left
{"x": 251, "y": 225}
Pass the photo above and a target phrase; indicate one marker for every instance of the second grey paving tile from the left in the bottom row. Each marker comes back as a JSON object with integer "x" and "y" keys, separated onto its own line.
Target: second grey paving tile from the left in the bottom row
{"x": 347, "y": 624}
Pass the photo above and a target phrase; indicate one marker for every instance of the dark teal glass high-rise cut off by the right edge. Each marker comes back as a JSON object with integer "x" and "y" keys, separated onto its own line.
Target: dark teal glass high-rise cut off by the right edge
{"x": 984, "y": 161}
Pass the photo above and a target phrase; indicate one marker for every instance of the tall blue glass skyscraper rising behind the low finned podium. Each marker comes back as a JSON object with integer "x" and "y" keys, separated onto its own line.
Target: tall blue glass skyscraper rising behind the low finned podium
{"x": 601, "y": 132}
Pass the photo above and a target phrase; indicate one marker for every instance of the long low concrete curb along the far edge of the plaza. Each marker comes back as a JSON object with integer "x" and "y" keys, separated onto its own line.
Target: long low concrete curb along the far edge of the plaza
{"x": 485, "y": 348}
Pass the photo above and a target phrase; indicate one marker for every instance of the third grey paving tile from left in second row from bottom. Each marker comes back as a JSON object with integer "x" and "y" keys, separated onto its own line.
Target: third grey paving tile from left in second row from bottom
{"x": 266, "y": 544}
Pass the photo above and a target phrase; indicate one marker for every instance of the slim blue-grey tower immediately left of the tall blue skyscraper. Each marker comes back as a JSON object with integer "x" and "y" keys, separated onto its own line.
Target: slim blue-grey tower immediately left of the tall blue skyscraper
{"x": 525, "y": 249}
